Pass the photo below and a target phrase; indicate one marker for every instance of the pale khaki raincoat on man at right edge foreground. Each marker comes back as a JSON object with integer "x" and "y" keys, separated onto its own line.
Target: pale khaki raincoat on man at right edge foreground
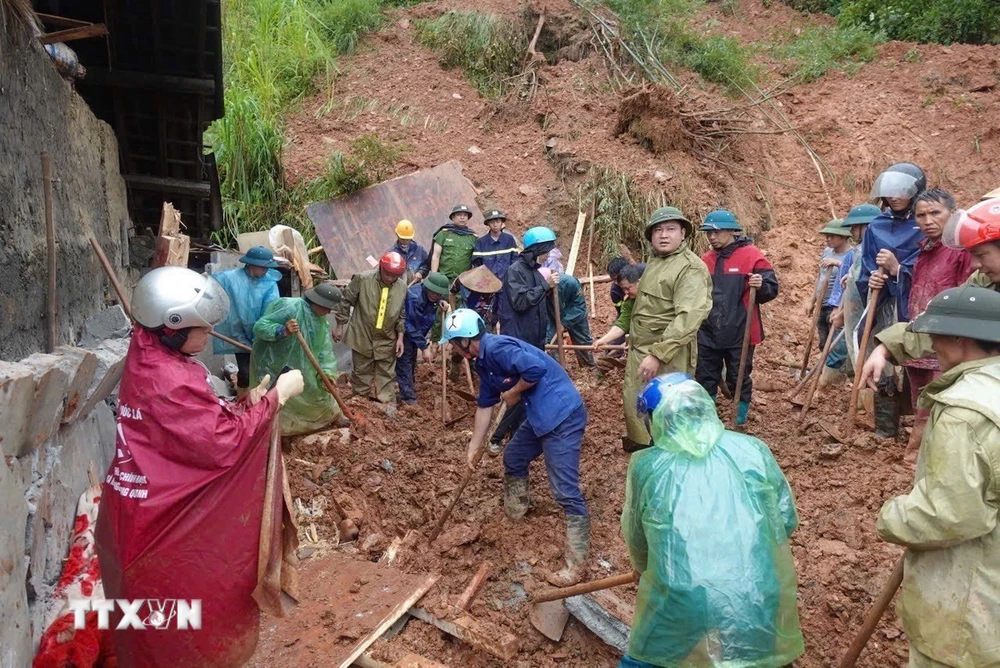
{"x": 950, "y": 600}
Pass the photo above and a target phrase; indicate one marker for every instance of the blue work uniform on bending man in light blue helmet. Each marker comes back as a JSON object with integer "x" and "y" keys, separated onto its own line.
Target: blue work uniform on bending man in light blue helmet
{"x": 556, "y": 416}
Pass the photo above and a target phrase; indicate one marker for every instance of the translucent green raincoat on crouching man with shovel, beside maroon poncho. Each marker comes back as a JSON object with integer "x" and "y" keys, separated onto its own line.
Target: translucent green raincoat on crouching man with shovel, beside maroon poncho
{"x": 315, "y": 408}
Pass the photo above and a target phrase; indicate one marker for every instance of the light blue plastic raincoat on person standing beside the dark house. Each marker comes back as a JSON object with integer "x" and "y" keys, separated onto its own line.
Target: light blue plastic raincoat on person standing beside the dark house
{"x": 248, "y": 299}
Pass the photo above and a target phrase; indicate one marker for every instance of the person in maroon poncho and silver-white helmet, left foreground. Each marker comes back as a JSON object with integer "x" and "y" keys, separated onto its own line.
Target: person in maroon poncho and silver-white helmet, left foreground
{"x": 186, "y": 466}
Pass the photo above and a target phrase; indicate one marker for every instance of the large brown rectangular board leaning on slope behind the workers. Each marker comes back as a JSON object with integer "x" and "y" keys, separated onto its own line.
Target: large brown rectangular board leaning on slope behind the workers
{"x": 363, "y": 223}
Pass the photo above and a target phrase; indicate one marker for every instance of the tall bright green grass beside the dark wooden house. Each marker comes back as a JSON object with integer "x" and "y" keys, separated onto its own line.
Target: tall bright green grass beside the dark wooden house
{"x": 275, "y": 53}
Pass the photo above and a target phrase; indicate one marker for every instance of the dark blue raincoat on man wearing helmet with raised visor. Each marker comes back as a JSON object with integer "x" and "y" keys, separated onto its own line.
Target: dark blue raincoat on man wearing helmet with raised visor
{"x": 901, "y": 236}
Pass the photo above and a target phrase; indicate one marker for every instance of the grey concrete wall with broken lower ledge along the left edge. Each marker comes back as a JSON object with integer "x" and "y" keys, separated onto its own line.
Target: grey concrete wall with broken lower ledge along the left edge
{"x": 57, "y": 419}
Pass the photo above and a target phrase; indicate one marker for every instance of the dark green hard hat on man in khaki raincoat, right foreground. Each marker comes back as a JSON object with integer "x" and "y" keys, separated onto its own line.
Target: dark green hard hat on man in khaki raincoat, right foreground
{"x": 967, "y": 311}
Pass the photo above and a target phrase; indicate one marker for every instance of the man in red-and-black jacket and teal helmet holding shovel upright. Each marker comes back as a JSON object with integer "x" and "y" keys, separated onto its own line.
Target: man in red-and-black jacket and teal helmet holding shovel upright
{"x": 736, "y": 266}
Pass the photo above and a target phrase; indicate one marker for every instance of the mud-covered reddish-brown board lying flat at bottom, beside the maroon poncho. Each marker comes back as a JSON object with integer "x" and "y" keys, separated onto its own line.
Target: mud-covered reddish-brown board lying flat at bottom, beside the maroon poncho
{"x": 346, "y": 606}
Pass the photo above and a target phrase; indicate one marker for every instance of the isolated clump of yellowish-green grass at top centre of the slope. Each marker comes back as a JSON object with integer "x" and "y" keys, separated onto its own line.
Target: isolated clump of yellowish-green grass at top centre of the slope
{"x": 488, "y": 48}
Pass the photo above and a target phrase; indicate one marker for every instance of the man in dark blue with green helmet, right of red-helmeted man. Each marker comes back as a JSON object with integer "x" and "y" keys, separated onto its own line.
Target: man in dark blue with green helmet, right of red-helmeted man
{"x": 423, "y": 303}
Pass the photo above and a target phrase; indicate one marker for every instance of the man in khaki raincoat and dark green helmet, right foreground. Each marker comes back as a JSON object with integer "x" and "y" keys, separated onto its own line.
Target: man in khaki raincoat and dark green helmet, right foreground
{"x": 951, "y": 571}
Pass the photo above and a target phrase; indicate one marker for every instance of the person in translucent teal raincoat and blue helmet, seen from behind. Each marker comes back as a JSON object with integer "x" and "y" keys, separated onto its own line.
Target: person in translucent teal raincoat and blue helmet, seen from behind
{"x": 707, "y": 597}
